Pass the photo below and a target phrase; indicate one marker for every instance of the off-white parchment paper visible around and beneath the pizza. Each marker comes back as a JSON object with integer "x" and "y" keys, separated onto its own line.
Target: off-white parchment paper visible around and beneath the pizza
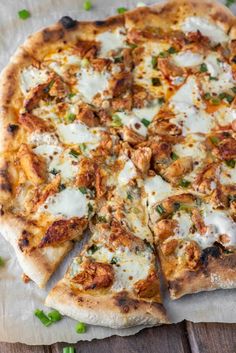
{"x": 17, "y": 300}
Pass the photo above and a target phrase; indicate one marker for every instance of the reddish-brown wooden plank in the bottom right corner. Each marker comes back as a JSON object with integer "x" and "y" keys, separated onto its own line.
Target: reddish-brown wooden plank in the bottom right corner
{"x": 212, "y": 337}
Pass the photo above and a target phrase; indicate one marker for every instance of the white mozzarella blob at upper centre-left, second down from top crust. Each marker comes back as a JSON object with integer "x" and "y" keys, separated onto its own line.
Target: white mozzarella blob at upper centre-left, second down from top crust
{"x": 91, "y": 82}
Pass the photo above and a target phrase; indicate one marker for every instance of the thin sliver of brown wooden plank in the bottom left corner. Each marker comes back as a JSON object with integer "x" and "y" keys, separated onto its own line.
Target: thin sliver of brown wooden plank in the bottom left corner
{"x": 22, "y": 348}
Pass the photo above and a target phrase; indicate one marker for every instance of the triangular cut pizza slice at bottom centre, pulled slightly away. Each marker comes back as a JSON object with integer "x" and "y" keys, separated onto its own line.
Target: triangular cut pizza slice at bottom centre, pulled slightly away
{"x": 113, "y": 282}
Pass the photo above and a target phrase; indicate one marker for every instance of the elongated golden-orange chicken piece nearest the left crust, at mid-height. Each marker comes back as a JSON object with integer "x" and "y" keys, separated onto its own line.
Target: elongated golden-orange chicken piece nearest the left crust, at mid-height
{"x": 33, "y": 166}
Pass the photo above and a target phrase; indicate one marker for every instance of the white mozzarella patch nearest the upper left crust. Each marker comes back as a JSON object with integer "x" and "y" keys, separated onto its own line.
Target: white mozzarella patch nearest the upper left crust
{"x": 32, "y": 77}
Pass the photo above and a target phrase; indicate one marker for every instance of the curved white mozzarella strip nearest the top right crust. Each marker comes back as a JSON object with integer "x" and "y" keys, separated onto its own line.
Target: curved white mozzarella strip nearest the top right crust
{"x": 208, "y": 29}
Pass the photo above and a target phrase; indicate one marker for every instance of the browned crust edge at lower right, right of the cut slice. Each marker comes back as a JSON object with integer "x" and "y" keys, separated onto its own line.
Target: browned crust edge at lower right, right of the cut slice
{"x": 216, "y": 274}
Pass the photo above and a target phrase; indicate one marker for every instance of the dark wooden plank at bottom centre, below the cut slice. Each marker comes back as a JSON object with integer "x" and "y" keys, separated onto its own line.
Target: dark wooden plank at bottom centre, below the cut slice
{"x": 163, "y": 339}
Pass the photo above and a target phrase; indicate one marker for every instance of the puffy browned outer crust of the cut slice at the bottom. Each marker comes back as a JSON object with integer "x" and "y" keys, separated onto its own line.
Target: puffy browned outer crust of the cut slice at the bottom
{"x": 115, "y": 311}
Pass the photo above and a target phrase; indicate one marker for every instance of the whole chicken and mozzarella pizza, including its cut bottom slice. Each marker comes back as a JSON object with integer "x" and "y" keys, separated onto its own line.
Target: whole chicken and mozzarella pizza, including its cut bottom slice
{"x": 127, "y": 128}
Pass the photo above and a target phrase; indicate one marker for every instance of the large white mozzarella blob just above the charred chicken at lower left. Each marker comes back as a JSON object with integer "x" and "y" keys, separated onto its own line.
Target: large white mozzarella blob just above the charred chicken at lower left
{"x": 68, "y": 203}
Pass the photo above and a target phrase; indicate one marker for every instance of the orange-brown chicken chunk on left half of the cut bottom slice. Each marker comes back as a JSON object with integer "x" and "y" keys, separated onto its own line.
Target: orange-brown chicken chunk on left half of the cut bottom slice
{"x": 95, "y": 275}
